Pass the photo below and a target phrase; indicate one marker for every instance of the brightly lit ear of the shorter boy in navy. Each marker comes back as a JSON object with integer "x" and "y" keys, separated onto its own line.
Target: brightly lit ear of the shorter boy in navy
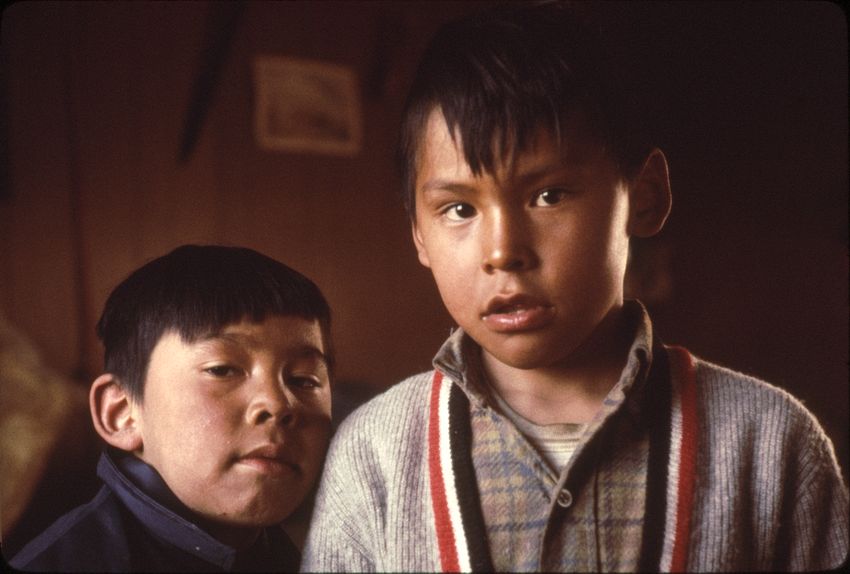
{"x": 113, "y": 414}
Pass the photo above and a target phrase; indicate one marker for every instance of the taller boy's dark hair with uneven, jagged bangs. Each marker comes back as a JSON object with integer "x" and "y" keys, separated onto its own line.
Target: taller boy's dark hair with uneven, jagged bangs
{"x": 500, "y": 75}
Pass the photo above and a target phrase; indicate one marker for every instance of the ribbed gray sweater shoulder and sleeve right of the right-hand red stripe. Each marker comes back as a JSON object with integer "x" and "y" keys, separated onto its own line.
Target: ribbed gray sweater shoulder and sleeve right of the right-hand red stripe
{"x": 771, "y": 495}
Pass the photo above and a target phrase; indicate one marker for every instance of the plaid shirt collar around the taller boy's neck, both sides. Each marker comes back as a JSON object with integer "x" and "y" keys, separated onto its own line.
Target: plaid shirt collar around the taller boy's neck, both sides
{"x": 460, "y": 359}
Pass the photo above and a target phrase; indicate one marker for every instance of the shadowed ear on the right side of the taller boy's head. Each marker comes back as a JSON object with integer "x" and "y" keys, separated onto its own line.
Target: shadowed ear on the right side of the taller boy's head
{"x": 649, "y": 196}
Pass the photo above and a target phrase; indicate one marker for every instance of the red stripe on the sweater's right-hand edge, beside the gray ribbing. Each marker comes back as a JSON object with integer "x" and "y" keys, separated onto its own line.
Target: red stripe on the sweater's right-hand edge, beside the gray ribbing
{"x": 687, "y": 458}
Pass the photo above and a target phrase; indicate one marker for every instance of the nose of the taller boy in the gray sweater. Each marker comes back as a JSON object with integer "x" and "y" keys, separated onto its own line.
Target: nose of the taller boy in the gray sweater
{"x": 506, "y": 246}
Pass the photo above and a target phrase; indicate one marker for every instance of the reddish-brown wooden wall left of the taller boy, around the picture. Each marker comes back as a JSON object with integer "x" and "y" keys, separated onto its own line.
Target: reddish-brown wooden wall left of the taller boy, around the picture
{"x": 98, "y": 96}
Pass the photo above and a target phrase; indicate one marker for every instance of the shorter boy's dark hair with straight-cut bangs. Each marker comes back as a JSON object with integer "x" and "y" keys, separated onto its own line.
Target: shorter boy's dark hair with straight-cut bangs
{"x": 196, "y": 290}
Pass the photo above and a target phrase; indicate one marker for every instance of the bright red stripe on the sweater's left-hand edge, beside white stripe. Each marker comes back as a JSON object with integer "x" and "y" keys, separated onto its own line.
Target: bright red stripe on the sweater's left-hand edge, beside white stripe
{"x": 445, "y": 532}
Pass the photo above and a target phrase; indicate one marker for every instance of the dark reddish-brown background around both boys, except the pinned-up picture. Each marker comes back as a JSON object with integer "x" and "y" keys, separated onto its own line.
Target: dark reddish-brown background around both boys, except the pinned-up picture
{"x": 750, "y": 101}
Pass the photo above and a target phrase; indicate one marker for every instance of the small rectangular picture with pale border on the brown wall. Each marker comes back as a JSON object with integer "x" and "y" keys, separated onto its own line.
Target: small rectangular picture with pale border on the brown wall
{"x": 306, "y": 106}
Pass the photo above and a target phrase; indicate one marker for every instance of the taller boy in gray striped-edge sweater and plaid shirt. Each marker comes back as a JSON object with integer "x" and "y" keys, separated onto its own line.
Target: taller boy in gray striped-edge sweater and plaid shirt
{"x": 556, "y": 431}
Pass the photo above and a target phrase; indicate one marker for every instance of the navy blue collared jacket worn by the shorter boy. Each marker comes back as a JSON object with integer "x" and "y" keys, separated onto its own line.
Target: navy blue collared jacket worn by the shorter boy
{"x": 136, "y": 524}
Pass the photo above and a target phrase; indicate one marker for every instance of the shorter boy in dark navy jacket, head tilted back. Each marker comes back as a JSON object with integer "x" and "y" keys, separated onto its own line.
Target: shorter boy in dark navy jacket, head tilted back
{"x": 215, "y": 406}
